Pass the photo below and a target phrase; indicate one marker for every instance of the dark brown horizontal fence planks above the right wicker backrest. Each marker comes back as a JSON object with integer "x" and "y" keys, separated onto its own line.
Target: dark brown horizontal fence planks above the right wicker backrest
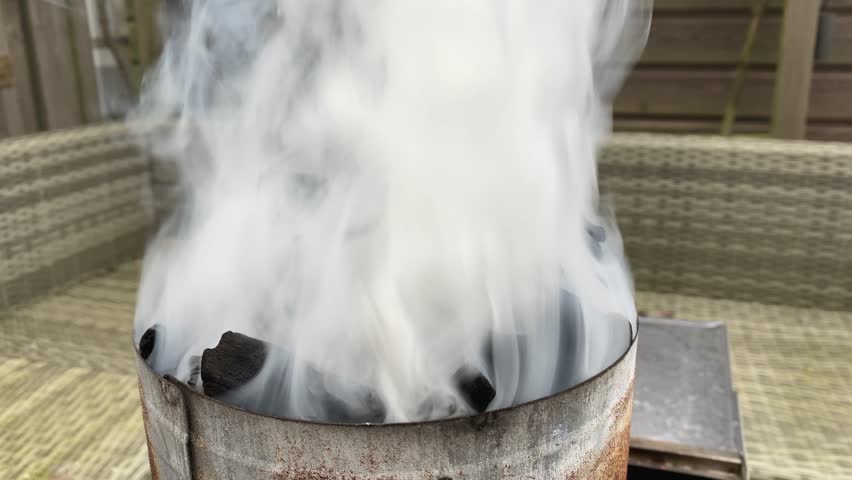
{"x": 686, "y": 72}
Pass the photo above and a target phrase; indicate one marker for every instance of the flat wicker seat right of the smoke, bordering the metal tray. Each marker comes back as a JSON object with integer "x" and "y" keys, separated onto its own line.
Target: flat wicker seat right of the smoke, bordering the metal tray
{"x": 793, "y": 371}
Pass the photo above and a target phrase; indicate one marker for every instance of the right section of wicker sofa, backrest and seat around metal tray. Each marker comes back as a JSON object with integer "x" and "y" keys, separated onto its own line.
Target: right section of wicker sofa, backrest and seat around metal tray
{"x": 758, "y": 234}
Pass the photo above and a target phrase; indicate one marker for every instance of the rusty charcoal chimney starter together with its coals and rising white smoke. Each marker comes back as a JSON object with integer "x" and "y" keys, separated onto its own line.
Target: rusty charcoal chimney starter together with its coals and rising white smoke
{"x": 399, "y": 199}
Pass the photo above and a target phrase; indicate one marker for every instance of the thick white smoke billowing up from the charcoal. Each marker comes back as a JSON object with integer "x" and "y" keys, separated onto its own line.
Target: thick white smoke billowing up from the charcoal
{"x": 388, "y": 190}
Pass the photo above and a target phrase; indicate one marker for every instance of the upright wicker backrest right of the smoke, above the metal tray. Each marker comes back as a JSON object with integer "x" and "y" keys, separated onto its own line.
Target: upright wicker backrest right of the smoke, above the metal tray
{"x": 744, "y": 219}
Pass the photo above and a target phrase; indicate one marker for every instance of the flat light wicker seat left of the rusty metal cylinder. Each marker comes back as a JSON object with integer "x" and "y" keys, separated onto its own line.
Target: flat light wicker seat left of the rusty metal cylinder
{"x": 69, "y": 403}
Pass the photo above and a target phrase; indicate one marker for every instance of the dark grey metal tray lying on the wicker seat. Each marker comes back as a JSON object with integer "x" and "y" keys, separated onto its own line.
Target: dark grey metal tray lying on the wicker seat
{"x": 685, "y": 412}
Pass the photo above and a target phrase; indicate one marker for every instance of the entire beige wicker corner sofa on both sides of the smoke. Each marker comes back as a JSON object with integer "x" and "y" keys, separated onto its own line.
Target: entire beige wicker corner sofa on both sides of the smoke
{"x": 751, "y": 232}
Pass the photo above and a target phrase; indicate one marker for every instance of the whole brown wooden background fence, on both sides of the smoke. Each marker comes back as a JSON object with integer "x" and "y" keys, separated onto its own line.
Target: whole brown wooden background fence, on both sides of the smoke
{"x": 57, "y": 69}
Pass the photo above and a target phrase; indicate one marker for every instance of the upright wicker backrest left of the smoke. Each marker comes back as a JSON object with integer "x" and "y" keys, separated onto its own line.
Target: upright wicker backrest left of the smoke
{"x": 69, "y": 205}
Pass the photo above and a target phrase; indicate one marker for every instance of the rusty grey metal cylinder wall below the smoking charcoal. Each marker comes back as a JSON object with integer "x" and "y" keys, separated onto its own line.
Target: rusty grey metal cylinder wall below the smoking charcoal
{"x": 579, "y": 433}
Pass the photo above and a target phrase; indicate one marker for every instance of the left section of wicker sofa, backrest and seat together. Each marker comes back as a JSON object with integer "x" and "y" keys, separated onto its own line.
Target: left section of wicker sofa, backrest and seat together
{"x": 72, "y": 221}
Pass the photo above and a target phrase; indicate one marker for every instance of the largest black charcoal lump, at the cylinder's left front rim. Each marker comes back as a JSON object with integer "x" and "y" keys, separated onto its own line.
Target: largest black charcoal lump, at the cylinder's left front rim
{"x": 237, "y": 359}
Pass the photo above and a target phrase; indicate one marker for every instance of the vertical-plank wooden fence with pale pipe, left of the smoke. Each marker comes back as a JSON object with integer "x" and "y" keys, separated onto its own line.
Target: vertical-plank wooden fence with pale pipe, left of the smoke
{"x": 58, "y": 69}
